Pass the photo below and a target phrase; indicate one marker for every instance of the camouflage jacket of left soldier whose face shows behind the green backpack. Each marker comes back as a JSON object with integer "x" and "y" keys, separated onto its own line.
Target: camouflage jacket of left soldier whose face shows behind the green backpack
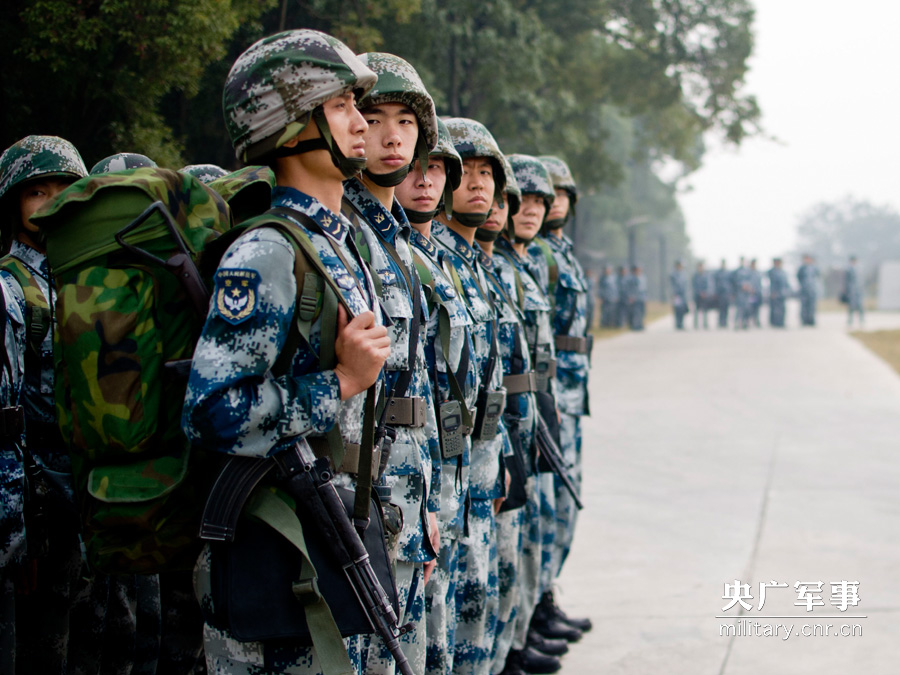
{"x": 38, "y": 386}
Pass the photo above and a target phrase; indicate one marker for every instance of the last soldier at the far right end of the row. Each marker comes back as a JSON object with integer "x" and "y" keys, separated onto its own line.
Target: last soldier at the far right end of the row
{"x": 570, "y": 297}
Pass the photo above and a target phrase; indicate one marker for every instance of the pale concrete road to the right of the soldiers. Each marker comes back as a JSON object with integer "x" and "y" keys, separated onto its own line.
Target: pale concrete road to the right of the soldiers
{"x": 720, "y": 456}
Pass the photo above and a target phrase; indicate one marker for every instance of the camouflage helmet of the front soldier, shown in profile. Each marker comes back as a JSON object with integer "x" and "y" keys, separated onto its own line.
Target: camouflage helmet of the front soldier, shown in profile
{"x": 275, "y": 85}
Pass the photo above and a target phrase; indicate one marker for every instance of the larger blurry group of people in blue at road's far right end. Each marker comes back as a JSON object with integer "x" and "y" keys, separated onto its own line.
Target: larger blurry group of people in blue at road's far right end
{"x": 743, "y": 288}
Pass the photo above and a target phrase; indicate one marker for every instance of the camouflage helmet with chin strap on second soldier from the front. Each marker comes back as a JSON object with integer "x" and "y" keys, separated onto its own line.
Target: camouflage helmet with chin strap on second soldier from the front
{"x": 398, "y": 82}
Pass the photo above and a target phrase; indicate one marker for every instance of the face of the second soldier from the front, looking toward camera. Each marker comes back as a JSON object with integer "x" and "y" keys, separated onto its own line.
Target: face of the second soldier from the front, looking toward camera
{"x": 391, "y": 137}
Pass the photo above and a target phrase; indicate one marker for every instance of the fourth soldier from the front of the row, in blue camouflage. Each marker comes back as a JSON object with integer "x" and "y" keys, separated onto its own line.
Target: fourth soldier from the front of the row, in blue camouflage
{"x": 483, "y": 180}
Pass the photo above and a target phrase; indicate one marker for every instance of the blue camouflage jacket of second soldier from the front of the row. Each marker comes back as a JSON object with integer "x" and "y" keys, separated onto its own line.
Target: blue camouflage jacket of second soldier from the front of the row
{"x": 415, "y": 460}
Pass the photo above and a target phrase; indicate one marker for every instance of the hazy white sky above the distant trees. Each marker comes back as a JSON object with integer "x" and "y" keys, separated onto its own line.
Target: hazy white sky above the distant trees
{"x": 827, "y": 77}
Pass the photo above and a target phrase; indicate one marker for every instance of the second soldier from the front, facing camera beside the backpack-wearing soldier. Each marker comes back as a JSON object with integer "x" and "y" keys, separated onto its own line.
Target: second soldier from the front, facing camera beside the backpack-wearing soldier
{"x": 402, "y": 124}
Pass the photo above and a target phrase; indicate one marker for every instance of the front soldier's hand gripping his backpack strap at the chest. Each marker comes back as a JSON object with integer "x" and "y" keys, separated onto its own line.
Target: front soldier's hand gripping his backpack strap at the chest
{"x": 361, "y": 348}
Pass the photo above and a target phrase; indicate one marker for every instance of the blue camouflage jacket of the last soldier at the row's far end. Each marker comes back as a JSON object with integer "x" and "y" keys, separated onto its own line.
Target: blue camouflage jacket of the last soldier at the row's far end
{"x": 570, "y": 317}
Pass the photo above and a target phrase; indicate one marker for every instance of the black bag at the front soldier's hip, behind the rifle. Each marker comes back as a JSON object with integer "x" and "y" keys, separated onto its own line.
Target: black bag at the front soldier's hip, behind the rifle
{"x": 252, "y": 580}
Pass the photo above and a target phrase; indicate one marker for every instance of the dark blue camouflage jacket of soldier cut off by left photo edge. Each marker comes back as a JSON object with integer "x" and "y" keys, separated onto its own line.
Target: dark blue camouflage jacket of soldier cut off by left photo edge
{"x": 12, "y": 475}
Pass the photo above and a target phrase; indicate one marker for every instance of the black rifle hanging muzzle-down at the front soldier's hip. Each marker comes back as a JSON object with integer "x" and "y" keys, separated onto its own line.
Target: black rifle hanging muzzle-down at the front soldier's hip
{"x": 308, "y": 480}
